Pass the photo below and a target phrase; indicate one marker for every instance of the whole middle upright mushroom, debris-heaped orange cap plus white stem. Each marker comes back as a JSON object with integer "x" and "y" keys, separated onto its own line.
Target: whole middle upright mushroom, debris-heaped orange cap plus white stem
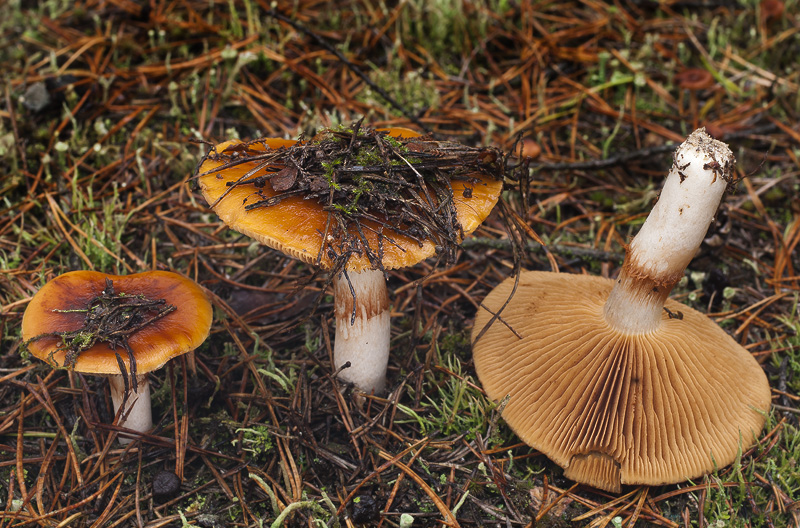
{"x": 299, "y": 223}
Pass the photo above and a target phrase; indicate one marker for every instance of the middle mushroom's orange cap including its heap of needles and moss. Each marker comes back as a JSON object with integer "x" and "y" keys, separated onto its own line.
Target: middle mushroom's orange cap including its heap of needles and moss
{"x": 353, "y": 197}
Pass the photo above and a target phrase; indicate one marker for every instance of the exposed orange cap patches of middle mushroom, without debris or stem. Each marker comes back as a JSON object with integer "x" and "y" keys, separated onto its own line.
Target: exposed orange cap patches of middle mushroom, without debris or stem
{"x": 295, "y": 226}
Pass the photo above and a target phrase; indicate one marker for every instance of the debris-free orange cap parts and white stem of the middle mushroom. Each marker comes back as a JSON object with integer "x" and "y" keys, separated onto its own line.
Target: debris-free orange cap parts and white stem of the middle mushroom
{"x": 301, "y": 227}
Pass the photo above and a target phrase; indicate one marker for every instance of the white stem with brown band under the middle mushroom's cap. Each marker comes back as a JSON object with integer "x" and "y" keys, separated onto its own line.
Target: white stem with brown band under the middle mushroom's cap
{"x": 362, "y": 336}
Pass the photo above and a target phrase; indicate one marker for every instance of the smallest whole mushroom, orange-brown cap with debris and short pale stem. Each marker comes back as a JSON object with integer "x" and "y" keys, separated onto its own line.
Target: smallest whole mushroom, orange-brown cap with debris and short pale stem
{"x": 117, "y": 326}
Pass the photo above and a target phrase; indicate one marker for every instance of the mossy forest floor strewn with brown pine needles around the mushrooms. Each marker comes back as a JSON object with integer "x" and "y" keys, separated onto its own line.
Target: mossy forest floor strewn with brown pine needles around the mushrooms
{"x": 102, "y": 110}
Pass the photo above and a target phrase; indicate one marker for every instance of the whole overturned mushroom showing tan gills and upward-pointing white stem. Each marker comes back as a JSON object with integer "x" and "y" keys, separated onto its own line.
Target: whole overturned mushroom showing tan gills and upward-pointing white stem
{"x": 612, "y": 380}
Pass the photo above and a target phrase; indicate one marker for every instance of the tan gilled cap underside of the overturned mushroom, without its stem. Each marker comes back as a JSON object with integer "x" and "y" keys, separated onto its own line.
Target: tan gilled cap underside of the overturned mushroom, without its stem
{"x": 613, "y": 408}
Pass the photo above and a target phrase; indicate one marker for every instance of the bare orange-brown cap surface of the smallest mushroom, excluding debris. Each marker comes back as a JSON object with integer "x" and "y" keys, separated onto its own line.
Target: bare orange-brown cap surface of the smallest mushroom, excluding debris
{"x": 174, "y": 334}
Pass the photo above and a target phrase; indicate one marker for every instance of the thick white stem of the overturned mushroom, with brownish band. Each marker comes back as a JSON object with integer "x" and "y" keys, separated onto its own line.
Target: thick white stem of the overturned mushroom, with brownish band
{"x": 670, "y": 237}
